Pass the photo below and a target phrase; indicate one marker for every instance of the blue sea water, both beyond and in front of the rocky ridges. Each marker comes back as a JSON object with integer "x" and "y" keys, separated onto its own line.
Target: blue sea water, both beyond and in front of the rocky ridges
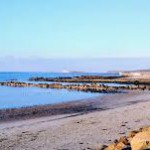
{"x": 11, "y": 97}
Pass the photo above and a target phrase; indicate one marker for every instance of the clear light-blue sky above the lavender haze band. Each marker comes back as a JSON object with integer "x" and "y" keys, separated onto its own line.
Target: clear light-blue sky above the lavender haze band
{"x": 75, "y": 28}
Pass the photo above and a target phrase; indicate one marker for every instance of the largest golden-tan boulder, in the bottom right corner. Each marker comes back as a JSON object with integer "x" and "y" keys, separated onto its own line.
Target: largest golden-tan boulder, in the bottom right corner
{"x": 141, "y": 141}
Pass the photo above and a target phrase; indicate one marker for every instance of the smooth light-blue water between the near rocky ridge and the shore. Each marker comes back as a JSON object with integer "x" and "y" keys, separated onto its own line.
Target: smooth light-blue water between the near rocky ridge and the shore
{"x": 11, "y": 97}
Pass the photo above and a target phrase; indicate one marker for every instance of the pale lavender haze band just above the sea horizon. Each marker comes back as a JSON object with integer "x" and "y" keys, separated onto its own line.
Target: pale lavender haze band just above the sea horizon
{"x": 82, "y": 65}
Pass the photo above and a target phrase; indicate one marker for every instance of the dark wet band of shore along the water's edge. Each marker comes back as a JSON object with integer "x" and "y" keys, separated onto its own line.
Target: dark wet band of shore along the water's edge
{"x": 99, "y": 103}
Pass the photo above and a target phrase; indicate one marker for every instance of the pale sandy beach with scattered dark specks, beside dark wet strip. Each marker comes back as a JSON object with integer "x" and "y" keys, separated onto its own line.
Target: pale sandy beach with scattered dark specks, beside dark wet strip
{"x": 80, "y": 131}
